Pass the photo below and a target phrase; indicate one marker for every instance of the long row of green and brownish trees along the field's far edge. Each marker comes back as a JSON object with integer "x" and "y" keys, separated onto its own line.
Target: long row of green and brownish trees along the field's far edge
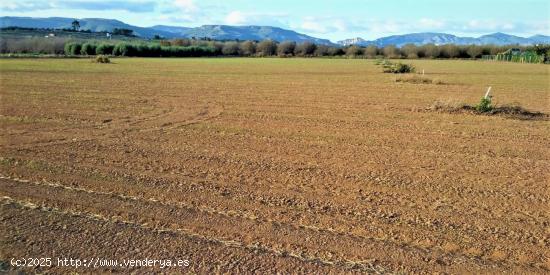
{"x": 196, "y": 48}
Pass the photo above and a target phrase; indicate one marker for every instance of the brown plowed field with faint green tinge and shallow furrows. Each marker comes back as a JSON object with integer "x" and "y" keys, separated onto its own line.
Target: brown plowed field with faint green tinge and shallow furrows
{"x": 272, "y": 165}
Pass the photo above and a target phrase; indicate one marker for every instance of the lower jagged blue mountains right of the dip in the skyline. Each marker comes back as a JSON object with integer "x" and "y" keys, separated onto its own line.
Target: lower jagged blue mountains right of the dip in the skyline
{"x": 443, "y": 38}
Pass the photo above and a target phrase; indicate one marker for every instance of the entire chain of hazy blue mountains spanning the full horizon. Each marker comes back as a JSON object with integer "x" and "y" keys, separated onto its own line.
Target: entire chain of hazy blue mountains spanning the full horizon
{"x": 224, "y": 32}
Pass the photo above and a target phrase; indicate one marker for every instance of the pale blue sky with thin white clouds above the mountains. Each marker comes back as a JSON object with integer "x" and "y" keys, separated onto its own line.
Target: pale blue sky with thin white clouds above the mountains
{"x": 330, "y": 19}
